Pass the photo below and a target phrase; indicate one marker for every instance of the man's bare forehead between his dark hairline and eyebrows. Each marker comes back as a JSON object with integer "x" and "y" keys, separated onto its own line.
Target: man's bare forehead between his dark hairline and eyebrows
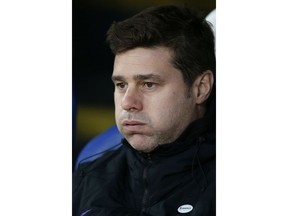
{"x": 143, "y": 61}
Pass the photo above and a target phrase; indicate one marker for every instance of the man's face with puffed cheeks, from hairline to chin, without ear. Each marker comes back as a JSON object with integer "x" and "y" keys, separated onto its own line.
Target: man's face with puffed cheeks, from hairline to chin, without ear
{"x": 152, "y": 106}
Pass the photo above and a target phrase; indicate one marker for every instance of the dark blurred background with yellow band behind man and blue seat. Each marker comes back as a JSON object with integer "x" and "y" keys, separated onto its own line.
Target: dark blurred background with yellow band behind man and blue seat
{"x": 93, "y": 106}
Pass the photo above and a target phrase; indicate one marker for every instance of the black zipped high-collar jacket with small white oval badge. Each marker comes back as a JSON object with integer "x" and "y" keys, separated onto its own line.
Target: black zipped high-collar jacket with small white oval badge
{"x": 173, "y": 179}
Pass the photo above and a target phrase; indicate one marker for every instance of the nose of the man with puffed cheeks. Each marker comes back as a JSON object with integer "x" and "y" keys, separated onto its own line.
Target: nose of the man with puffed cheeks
{"x": 131, "y": 100}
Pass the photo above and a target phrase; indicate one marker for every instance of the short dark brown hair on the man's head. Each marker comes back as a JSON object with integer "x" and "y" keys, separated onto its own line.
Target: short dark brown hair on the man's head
{"x": 183, "y": 30}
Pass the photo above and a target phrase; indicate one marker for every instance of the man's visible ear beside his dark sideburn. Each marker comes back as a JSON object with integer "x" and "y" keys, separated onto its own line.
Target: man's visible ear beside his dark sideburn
{"x": 202, "y": 86}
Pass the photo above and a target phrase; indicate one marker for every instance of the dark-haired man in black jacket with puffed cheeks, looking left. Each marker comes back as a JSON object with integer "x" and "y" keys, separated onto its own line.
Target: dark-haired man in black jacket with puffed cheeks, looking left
{"x": 164, "y": 76}
